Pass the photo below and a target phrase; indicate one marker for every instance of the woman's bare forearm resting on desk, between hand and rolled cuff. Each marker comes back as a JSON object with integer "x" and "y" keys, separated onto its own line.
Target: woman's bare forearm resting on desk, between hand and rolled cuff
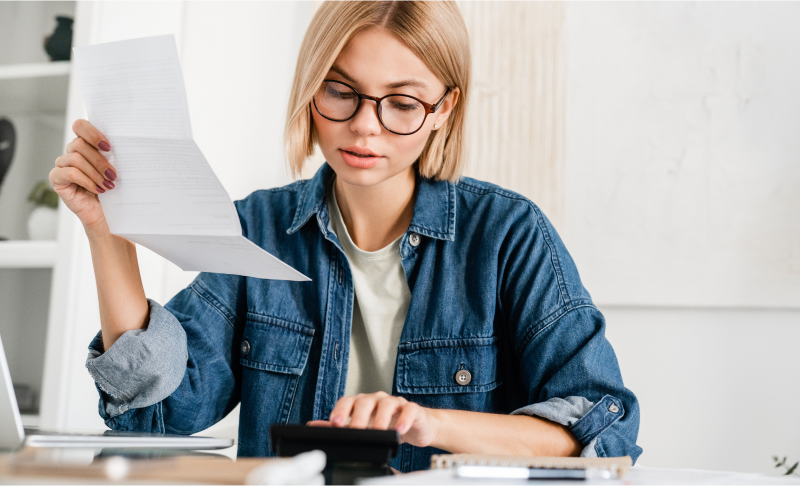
{"x": 474, "y": 432}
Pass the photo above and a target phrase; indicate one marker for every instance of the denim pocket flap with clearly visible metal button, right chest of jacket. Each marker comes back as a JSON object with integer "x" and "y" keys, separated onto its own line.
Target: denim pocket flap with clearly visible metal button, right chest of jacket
{"x": 448, "y": 366}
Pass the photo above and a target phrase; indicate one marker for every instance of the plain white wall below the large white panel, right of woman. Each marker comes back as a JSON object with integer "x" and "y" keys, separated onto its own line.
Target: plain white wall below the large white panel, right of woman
{"x": 717, "y": 387}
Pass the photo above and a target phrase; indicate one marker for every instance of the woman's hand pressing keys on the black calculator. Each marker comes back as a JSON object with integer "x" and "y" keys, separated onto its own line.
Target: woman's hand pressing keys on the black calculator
{"x": 417, "y": 425}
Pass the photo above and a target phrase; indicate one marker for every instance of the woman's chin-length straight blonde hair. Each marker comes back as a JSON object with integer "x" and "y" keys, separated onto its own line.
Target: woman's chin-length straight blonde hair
{"x": 433, "y": 29}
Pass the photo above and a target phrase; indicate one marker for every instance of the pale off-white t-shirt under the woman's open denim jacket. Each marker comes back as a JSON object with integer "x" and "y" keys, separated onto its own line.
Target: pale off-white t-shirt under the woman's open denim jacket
{"x": 379, "y": 309}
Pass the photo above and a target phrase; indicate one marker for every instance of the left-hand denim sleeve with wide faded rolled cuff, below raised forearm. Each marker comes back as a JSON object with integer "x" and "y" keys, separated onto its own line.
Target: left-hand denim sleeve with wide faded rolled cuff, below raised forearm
{"x": 192, "y": 388}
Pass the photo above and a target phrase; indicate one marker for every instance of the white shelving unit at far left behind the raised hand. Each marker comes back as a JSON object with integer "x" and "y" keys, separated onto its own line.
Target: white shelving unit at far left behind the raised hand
{"x": 33, "y": 96}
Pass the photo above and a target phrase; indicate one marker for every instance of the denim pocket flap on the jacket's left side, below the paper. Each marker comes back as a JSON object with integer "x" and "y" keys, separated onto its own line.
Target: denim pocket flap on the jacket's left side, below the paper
{"x": 276, "y": 345}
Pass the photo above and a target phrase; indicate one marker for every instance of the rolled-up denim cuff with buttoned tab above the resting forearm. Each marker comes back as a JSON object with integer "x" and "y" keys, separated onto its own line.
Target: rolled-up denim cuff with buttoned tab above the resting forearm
{"x": 584, "y": 419}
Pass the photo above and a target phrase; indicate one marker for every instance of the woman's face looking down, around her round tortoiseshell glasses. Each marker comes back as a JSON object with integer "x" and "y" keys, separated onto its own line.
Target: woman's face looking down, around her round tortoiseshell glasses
{"x": 377, "y": 63}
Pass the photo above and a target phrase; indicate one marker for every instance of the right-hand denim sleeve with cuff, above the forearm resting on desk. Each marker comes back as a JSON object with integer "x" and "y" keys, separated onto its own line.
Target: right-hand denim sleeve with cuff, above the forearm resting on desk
{"x": 565, "y": 361}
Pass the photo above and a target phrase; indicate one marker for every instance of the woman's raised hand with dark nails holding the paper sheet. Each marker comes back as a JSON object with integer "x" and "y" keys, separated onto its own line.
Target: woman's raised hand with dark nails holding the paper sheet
{"x": 82, "y": 173}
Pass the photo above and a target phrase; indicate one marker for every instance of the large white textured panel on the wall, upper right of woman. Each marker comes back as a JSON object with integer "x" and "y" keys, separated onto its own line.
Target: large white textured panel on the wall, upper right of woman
{"x": 683, "y": 160}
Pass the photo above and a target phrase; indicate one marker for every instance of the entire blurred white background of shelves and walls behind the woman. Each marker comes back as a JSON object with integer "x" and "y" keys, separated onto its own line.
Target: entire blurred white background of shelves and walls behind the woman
{"x": 659, "y": 136}
